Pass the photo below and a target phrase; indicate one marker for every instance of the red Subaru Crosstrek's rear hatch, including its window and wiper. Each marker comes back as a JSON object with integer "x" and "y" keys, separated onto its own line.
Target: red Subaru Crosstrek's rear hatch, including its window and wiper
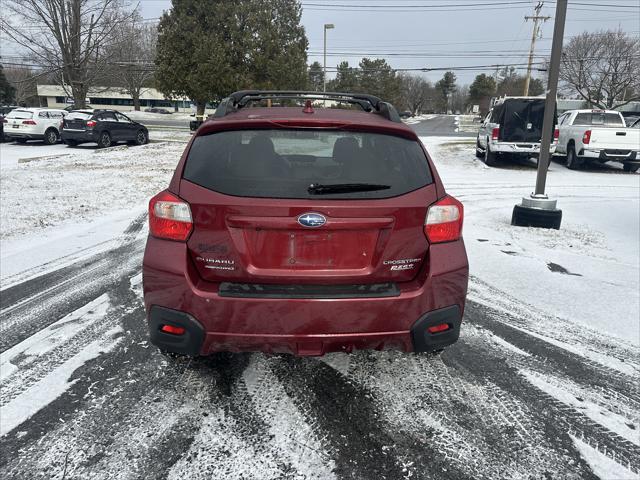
{"x": 316, "y": 206}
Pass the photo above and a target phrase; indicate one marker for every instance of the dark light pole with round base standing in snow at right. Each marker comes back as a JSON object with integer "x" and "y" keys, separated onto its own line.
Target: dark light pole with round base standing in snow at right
{"x": 538, "y": 210}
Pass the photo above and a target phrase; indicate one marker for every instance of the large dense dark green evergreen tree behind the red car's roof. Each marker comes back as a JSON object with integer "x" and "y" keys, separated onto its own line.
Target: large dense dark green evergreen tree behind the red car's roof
{"x": 210, "y": 48}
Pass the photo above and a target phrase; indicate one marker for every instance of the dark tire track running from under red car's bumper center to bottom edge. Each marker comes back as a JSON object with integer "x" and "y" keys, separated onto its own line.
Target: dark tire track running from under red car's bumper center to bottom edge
{"x": 361, "y": 446}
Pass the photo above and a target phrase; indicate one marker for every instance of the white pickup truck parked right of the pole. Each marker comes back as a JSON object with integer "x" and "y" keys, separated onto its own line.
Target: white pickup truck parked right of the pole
{"x": 599, "y": 135}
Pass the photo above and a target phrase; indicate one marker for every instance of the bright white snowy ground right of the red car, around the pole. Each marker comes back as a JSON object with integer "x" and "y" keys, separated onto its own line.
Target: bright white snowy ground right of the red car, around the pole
{"x": 587, "y": 272}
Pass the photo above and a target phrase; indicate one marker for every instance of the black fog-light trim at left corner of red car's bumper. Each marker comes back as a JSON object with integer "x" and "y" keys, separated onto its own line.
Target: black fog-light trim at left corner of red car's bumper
{"x": 189, "y": 343}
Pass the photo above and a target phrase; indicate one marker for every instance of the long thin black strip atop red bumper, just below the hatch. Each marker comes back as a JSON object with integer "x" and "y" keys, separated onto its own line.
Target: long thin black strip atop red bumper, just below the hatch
{"x": 254, "y": 290}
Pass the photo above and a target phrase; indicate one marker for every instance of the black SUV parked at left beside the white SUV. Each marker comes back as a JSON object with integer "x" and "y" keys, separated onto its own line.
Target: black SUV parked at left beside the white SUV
{"x": 104, "y": 127}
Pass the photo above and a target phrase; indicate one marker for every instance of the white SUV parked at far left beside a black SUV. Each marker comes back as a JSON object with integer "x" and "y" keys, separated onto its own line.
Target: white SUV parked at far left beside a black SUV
{"x": 24, "y": 124}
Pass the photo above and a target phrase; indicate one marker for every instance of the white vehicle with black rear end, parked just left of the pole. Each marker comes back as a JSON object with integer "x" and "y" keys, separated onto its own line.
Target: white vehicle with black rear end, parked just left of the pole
{"x": 512, "y": 128}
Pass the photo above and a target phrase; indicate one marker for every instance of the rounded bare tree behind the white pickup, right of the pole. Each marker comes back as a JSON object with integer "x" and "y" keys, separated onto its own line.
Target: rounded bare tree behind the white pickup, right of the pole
{"x": 603, "y": 68}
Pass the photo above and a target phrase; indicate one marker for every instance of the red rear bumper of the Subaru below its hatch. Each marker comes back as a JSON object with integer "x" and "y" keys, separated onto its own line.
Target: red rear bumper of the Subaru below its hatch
{"x": 303, "y": 326}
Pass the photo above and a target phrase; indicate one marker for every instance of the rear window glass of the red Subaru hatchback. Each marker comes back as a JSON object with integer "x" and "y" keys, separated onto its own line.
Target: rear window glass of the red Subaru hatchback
{"x": 284, "y": 163}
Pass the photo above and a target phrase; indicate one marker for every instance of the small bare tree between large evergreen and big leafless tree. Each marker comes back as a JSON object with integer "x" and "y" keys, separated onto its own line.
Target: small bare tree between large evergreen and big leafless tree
{"x": 134, "y": 53}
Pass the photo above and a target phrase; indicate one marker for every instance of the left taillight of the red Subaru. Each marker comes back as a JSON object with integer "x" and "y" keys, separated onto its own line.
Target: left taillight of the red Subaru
{"x": 169, "y": 217}
